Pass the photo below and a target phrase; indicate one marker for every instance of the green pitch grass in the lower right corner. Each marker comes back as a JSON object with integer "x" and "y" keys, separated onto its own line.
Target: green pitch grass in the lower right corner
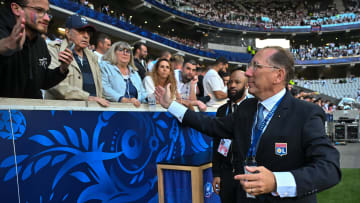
{"x": 347, "y": 191}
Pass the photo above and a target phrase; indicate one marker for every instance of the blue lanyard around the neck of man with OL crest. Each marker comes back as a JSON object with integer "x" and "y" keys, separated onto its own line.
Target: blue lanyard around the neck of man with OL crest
{"x": 257, "y": 133}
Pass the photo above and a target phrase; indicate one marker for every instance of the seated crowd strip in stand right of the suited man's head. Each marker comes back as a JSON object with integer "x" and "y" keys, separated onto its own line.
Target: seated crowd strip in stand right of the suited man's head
{"x": 330, "y": 50}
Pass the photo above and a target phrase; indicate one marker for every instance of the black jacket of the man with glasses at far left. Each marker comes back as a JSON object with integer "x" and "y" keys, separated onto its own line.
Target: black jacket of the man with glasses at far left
{"x": 25, "y": 72}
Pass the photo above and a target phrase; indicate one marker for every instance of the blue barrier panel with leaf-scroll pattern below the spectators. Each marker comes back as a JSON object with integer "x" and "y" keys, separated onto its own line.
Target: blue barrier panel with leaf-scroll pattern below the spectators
{"x": 89, "y": 156}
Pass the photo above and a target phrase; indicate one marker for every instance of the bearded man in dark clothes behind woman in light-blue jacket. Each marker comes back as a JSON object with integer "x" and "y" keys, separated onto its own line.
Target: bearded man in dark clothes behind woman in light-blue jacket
{"x": 140, "y": 54}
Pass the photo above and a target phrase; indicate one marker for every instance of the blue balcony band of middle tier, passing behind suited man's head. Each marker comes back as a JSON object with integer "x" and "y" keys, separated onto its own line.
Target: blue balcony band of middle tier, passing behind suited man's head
{"x": 133, "y": 33}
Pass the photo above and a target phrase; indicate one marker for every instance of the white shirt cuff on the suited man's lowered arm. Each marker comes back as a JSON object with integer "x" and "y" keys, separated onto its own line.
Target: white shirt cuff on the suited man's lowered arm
{"x": 285, "y": 185}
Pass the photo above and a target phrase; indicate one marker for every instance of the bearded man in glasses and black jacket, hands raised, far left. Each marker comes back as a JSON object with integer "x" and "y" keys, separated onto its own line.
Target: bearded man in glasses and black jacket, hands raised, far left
{"x": 24, "y": 57}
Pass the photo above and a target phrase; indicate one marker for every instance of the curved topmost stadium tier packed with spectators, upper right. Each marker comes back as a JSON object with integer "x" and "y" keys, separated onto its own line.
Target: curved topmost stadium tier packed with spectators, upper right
{"x": 244, "y": 20}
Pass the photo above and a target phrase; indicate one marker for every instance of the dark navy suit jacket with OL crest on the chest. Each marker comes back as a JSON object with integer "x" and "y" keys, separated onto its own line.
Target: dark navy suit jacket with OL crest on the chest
{"x": 311, "y": 158}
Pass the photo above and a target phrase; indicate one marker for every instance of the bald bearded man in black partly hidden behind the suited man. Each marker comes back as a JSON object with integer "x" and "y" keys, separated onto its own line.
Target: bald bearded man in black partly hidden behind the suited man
{"x": 223, "y": 180}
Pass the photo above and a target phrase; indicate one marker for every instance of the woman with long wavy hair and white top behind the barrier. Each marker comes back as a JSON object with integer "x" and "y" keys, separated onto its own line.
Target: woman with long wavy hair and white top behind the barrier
{"x": 161, "y": 75}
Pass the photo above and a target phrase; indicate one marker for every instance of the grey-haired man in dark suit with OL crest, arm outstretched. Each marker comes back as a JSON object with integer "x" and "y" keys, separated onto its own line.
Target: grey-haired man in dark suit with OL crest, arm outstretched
{"x": 284, "y": 136}
